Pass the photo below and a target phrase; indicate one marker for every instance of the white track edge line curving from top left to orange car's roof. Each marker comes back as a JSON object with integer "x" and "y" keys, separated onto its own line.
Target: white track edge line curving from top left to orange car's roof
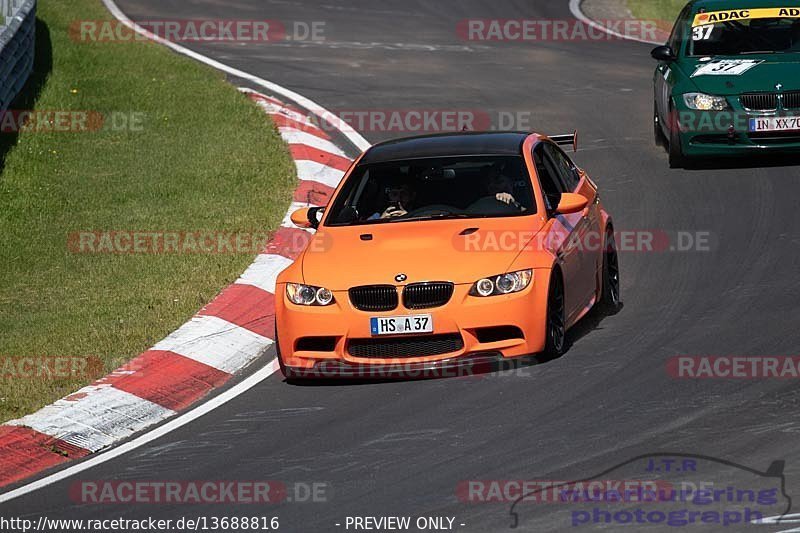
{"x": 347, "y": 130}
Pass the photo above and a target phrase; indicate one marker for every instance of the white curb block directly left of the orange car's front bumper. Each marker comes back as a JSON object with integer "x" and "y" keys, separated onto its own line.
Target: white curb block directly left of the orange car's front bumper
{"x": 216, "y": 343}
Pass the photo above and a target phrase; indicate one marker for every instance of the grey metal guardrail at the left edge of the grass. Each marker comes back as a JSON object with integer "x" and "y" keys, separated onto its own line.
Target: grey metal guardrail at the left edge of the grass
{"x": 17, "y": 37}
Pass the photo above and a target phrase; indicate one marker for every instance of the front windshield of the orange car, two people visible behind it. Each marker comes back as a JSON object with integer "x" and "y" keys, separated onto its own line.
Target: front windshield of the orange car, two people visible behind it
{"x": 434, "y": 188}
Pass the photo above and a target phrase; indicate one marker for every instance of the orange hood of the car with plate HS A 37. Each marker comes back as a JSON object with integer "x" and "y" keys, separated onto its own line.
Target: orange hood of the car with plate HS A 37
{"x": 339, "y": 257}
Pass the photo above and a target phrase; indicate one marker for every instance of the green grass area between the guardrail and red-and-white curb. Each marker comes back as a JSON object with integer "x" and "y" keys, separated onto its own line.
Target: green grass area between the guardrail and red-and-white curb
{"x": 205, "y": 159}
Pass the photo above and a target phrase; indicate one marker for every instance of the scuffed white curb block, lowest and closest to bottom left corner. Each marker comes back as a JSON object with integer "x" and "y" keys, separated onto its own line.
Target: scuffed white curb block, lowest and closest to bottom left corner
{"x": 95, "y": 417}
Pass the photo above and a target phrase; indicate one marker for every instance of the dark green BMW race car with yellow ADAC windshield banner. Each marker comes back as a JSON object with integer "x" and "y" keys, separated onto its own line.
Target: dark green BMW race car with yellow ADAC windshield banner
{"x": 728, "y": 80}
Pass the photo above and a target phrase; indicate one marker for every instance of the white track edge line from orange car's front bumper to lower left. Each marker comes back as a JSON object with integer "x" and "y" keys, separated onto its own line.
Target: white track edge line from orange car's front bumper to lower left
{"x": 148, "y": 437}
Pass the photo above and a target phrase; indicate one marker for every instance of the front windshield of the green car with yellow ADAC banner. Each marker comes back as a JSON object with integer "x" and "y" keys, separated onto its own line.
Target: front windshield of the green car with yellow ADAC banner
{"x": 741, "y": 32}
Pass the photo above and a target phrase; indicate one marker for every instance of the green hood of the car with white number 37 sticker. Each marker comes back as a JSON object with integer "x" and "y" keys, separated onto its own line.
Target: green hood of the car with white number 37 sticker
{"x": 774, "y": 69}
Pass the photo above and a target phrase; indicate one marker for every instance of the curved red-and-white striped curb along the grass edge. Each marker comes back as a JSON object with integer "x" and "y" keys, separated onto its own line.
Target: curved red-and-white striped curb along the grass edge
{"x": 221, "y": 339}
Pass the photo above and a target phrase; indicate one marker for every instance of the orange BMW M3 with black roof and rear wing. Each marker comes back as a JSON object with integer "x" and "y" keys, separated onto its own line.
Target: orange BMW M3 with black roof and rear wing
{"x": 441, "y": 250}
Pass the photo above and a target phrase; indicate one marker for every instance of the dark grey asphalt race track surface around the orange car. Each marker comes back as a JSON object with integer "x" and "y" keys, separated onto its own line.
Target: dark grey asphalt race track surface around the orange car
{"x": 403, "y": 447}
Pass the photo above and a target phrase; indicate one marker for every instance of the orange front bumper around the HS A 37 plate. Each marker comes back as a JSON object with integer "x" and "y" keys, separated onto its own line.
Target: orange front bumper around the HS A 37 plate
{"x": 309, "y": 336}
